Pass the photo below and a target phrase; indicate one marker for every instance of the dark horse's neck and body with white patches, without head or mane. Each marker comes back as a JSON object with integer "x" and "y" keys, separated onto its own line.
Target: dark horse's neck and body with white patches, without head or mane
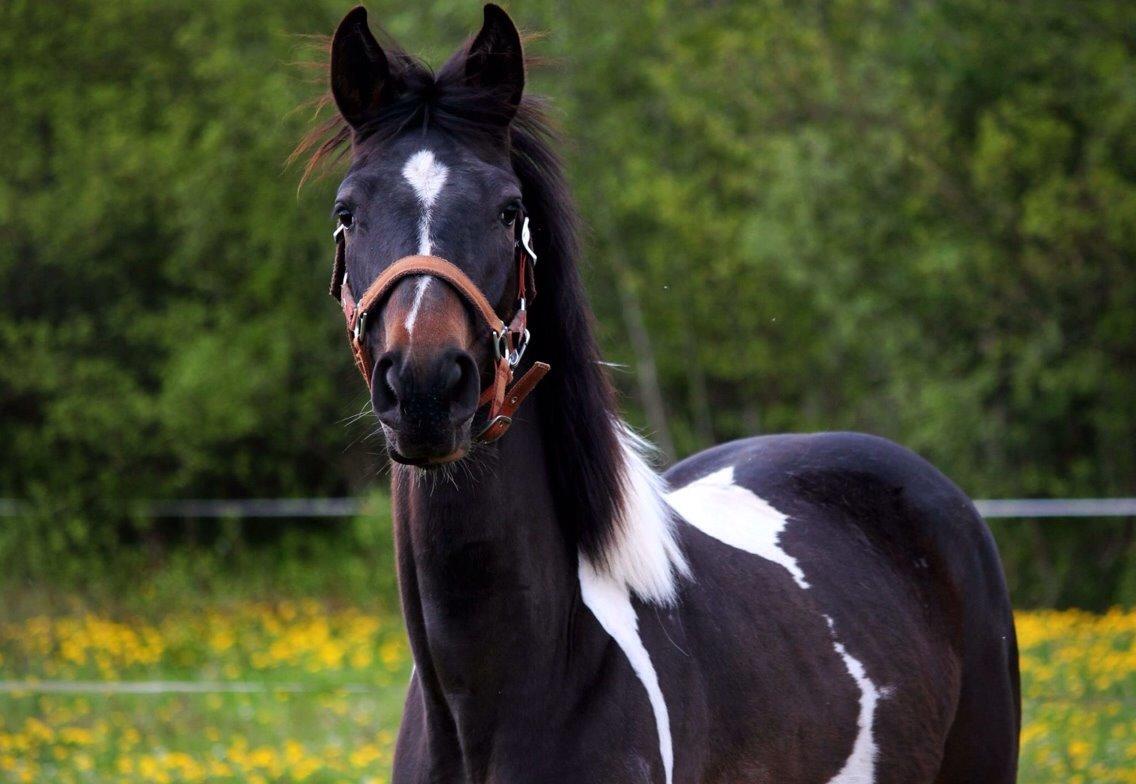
{"x": 843, "y": 658}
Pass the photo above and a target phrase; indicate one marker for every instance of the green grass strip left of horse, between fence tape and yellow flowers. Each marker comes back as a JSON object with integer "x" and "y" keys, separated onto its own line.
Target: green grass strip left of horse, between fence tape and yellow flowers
{"x": 348, "y": 562}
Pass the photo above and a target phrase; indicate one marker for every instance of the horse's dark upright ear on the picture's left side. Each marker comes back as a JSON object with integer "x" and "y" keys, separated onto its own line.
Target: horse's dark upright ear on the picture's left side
{"x": 361, "y": 72}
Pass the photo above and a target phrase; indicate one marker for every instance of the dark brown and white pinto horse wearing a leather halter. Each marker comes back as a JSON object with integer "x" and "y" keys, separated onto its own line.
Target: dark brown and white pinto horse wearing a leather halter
{"x": 799, "y": 608}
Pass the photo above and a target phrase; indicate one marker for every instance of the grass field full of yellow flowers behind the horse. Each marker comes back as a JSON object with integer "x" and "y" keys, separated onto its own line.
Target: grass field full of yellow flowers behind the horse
{"x": 312, "y": 693}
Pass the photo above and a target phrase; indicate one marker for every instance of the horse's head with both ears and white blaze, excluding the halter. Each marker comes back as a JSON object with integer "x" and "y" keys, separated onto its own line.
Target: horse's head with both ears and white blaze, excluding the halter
{"x": 430, "y": 189}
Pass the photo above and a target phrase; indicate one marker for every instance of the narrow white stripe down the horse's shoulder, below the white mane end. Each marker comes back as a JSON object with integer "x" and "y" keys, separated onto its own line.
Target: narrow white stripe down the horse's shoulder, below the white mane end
{"x": 611, "y": 603}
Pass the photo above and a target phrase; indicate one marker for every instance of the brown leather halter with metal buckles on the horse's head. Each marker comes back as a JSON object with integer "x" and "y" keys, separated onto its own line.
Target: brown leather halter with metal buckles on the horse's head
{"x": 503, "y": 396}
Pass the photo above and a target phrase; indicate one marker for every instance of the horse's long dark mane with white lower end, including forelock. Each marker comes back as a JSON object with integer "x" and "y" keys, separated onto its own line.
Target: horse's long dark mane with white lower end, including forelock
{"x": 609, "y": 506}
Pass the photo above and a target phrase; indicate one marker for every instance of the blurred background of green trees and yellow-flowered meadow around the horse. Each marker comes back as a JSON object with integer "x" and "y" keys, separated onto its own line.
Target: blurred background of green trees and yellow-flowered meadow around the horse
{"x": 916, "y": 220}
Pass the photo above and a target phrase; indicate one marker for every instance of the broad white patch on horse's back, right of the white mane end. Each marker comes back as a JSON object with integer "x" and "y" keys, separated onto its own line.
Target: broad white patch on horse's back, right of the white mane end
{"x": 736, "y": 516}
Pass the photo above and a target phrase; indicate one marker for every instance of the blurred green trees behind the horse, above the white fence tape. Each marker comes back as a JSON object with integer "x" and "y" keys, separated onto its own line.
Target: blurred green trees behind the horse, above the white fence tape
{"x": 916, "y": 220}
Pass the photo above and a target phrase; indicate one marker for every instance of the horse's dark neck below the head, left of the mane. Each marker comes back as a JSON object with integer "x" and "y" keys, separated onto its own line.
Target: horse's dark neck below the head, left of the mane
{"x": 487, "y": 574}
